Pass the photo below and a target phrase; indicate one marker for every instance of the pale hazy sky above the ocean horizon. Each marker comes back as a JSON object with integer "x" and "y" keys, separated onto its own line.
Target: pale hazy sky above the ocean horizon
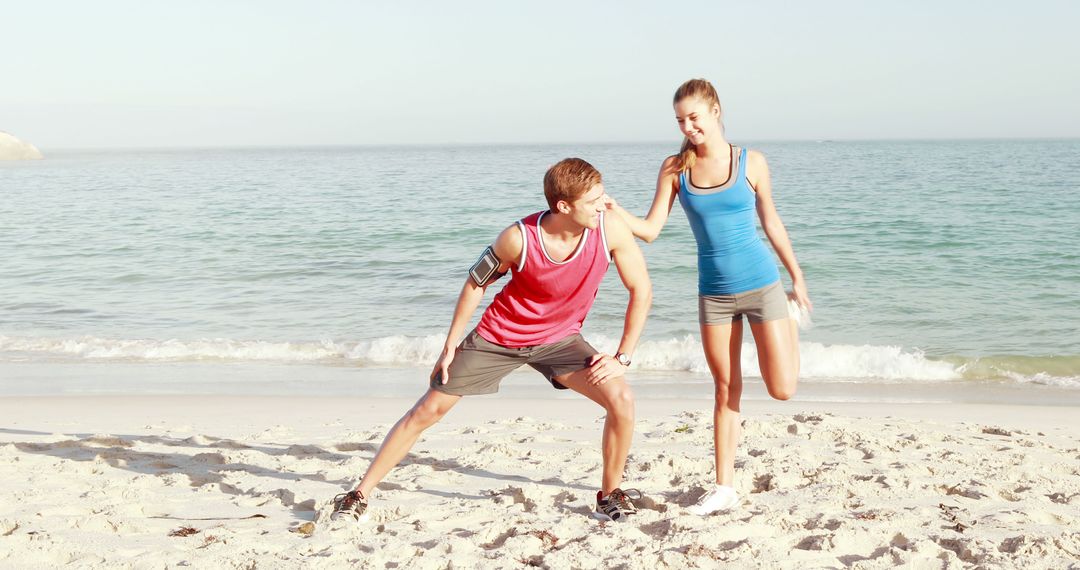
{"x": 236, "y": 73}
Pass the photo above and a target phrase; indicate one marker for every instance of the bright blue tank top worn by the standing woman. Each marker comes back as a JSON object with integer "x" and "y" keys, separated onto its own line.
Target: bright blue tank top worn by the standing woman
{"x": 732, "y": 259}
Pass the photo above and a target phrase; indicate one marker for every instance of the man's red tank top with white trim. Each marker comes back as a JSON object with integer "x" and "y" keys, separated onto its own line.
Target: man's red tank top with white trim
{"x": 546, "y": 301}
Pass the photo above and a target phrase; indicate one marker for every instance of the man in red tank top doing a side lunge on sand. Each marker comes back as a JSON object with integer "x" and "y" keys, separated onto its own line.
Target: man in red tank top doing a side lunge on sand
{"x": 559, "y": 259}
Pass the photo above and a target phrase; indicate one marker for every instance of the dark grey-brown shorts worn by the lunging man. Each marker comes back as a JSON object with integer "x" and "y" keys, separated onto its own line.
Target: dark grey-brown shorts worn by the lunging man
{"x": 480, "y": 365}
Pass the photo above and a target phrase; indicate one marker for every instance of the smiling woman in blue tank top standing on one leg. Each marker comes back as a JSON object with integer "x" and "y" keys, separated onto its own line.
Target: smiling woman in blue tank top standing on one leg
{"x": 721, "y": 187}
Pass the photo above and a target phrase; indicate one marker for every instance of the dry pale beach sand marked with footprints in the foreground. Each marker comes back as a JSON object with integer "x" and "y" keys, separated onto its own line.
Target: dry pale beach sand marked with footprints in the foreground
{"x": 231, "y": 482}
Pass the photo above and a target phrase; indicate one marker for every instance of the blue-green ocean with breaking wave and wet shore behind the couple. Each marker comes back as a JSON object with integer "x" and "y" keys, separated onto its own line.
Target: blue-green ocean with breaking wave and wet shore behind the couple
{"x": 335, "y": 270}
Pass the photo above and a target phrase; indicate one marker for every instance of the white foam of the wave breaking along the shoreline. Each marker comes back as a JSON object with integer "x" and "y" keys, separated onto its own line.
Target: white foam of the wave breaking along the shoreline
{"x": 822, "y": 362}
